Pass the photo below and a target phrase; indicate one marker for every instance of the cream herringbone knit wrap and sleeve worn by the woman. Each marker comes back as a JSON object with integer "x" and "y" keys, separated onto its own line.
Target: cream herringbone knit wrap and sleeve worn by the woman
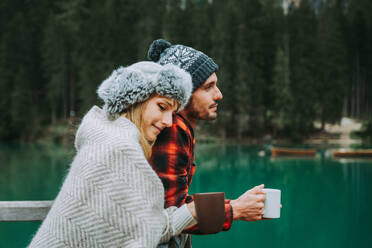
{"x": 111, "y": 197}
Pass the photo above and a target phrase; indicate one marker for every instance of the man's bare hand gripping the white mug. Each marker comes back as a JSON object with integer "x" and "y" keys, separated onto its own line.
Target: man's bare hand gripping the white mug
{"x": 249, "y": 206}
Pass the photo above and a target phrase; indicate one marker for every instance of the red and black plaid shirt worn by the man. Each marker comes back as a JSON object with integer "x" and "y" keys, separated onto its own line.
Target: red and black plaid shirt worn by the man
{"x": 173, "y": 160}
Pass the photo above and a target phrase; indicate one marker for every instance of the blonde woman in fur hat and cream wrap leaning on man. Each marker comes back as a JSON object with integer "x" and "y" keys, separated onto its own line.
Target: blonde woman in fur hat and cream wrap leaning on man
{"x": 111, "y": 197}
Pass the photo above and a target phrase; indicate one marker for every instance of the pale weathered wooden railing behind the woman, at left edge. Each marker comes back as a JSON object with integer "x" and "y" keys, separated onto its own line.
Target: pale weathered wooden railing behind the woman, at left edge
{"x": 24, "y": 210}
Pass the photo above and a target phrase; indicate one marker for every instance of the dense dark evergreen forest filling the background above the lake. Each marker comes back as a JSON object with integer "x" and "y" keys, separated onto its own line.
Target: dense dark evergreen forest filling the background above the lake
{"x": 285, "y": 71}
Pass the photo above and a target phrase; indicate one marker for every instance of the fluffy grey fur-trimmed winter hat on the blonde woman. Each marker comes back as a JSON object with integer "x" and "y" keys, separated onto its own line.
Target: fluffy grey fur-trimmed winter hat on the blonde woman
{"x": 134, "y": 84}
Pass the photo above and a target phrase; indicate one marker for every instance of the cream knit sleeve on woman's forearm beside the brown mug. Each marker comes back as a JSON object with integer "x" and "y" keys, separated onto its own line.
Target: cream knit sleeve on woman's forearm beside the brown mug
{"x": 177, "y": 219}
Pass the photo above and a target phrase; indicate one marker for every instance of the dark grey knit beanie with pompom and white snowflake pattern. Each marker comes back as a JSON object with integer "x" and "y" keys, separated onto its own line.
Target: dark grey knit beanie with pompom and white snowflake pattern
{"x": 199, "y": 65}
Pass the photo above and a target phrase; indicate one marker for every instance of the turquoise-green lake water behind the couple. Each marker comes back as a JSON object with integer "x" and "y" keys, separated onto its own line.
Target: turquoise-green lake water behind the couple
{"x": 326, "y": 202}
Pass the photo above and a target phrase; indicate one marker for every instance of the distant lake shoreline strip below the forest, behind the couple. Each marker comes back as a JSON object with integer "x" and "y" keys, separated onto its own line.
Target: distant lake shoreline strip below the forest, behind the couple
{"x": 339, "y": 135}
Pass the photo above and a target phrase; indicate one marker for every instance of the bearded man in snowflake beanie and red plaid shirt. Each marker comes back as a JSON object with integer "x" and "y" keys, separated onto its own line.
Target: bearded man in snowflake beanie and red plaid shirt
{"x": 173, "y": 153}
